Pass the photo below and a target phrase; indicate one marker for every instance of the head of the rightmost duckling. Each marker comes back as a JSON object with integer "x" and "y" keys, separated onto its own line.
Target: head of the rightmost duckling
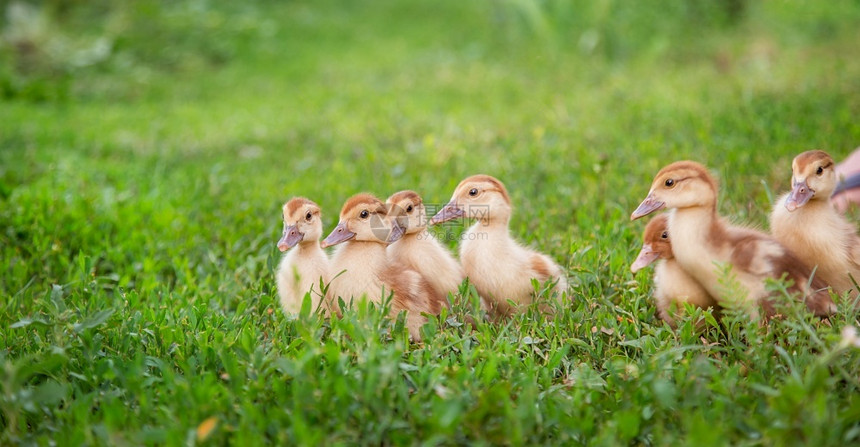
{"x": 812, "y": 178}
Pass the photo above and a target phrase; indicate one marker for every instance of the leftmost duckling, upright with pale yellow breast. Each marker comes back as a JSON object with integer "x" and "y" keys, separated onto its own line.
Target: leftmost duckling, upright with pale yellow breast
{"x": 301, "y": 270}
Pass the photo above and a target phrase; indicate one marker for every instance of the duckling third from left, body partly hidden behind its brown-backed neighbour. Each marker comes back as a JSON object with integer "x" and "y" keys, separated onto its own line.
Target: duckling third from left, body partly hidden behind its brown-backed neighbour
{"x": 418, "y": 249}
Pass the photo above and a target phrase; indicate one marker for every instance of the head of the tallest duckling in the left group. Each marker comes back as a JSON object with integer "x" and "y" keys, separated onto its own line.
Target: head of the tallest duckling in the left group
{"x": 480, "y": 197}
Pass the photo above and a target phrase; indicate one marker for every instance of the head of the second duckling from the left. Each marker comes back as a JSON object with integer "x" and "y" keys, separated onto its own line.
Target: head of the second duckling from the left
{"x": 364, "y": 218}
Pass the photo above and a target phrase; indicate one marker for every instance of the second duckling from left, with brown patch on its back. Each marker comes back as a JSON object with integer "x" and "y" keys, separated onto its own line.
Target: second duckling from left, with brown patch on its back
{"x": 364, "y": 269}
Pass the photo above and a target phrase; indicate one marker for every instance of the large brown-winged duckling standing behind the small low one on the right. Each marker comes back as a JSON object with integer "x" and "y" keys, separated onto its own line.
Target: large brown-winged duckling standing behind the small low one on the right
{"x": 703, "y": 242}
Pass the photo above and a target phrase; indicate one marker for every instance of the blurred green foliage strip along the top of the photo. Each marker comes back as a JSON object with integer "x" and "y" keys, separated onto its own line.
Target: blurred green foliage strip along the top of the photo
{"x": 49, "y": 48}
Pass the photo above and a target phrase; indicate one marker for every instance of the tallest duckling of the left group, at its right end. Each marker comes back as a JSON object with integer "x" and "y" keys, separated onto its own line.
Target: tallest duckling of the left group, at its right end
{"x": 499, "y": 267}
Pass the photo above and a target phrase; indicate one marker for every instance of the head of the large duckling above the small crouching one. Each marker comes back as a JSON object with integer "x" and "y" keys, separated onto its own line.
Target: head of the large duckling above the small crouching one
{"x": 683, "y": 184}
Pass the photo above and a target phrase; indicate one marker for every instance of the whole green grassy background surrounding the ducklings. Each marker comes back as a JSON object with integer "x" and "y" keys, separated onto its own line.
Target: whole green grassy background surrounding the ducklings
{"x": 146, "y": 148}
